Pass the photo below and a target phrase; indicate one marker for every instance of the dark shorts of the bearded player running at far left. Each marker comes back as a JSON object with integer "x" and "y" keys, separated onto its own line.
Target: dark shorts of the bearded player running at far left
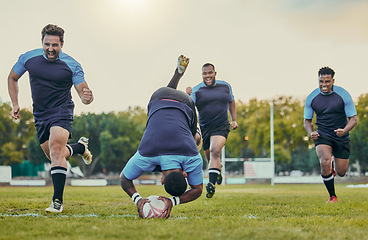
{"x": 43, "y": 127}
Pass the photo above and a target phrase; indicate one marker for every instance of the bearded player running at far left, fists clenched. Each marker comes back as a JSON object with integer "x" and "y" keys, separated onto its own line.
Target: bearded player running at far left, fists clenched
{"x": 52, "y": 73}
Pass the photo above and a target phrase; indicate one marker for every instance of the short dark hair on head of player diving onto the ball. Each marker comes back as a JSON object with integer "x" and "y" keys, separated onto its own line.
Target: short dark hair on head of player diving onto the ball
{"x": 175, "y": 183}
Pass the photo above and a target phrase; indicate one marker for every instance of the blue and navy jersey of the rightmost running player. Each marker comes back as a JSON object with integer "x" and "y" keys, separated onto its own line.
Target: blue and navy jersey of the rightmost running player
{"x": 332, "y": 110}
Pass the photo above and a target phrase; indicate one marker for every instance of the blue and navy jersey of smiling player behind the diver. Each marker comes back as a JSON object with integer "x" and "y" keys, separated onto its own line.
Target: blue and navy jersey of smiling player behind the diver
{"x": 212, "y": 103}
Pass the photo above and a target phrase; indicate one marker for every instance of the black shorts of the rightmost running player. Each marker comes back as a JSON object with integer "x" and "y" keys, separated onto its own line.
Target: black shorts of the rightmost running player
{"x": 340, "y": 149}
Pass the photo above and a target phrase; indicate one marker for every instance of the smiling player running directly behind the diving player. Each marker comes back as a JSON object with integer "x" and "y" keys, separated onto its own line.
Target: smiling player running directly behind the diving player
{"x": 213, "y": 98}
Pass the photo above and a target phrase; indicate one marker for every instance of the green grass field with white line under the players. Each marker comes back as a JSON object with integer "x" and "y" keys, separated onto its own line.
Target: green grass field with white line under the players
{"x": 235, "y": 212}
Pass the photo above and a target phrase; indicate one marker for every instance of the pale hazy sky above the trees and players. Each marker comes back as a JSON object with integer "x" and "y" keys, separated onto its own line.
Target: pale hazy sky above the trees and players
{"x": 129, "y": 48}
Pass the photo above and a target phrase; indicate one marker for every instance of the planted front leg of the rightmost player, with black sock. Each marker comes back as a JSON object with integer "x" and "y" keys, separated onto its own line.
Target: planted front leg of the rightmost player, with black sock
{"x": 324, "y": 153}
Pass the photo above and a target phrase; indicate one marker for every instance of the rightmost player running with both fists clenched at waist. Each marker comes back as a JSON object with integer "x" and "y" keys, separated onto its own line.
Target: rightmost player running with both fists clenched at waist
{"x": 333, "y": 105}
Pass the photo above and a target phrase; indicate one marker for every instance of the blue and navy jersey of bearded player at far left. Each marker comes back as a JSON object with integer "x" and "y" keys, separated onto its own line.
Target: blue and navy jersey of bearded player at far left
{"x": 50, "y": 82}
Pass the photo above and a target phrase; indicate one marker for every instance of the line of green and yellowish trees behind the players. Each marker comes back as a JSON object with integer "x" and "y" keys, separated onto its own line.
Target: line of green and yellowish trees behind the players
{"x": 114, "y": 137}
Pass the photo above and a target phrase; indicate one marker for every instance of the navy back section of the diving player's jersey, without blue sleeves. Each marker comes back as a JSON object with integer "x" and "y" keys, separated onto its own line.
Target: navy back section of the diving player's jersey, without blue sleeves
{"x": 169, "y": 129}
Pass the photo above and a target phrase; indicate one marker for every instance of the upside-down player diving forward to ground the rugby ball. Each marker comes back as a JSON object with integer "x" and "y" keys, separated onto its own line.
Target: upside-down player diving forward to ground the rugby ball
{"x": 169, "y": 143}
